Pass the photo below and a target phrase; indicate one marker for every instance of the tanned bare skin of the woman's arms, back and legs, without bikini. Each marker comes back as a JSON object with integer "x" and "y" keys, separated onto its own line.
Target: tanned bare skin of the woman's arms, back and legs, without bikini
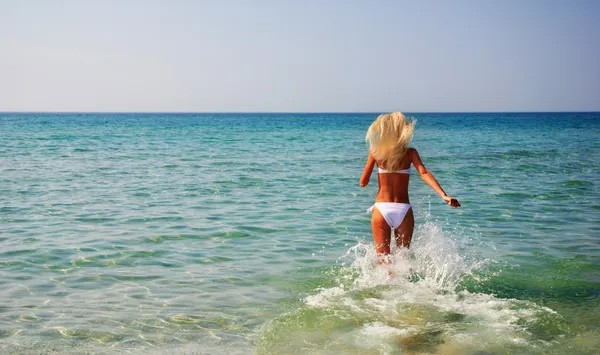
{"x": 394, "y": 188}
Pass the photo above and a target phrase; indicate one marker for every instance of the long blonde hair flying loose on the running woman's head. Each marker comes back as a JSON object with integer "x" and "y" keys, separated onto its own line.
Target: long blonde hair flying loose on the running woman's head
{"x": 388, "y": 138}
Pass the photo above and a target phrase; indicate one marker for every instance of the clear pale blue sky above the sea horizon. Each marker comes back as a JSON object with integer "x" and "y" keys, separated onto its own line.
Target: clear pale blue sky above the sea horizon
{"x": 273, "y": 56}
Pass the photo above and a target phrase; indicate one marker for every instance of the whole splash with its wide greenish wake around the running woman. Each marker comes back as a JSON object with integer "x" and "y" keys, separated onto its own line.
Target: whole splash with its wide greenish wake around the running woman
{"x": 414, "y": 303}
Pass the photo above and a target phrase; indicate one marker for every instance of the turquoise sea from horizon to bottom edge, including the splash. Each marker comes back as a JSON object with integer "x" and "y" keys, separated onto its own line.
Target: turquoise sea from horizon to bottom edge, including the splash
{"x": 238, "y": 233}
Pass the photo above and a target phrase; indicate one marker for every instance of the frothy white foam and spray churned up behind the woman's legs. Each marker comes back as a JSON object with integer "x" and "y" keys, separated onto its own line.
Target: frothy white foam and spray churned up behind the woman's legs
{"x": 415, "y": 298}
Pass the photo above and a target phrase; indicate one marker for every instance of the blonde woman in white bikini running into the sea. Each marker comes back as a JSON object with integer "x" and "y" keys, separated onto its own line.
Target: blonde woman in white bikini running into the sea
{"x": 388, "y": 138}
